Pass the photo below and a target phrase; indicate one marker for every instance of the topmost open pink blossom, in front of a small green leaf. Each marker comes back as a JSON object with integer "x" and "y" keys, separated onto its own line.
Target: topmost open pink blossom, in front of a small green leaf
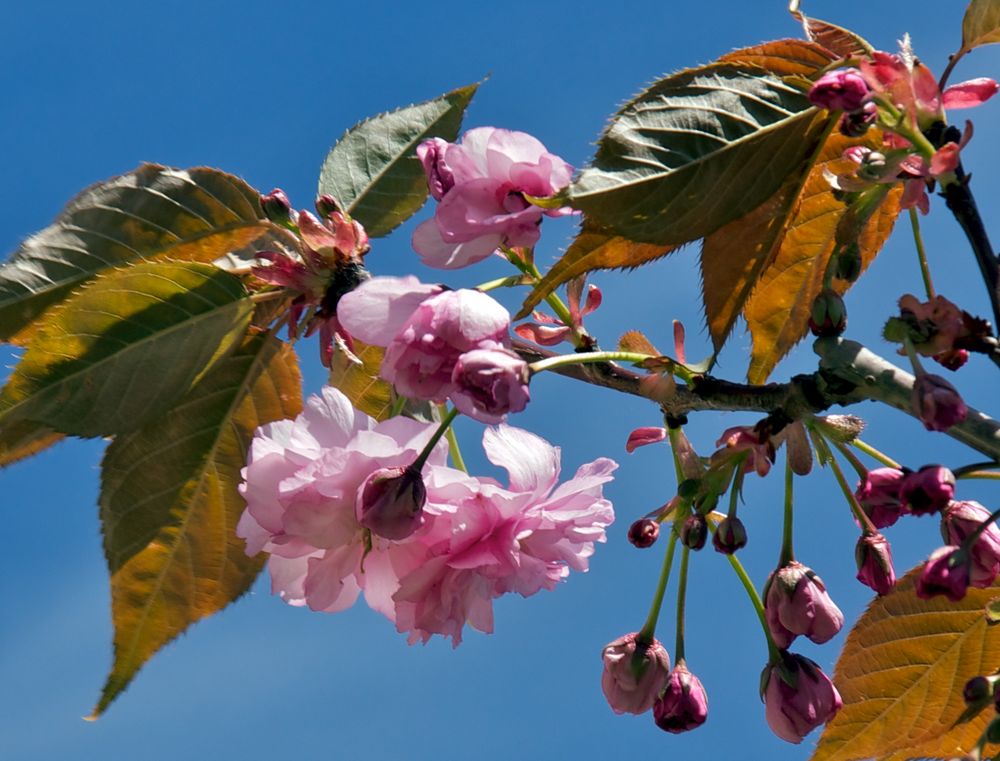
{"x": 480, "y": 184}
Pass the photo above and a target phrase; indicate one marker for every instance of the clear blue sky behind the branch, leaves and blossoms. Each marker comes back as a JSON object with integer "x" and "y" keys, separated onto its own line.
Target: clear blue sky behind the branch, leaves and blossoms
{"x": 262, "y": 89}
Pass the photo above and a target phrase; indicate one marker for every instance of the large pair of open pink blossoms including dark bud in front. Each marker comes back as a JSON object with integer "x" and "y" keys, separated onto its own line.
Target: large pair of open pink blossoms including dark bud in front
{"x": 324, "y": 500}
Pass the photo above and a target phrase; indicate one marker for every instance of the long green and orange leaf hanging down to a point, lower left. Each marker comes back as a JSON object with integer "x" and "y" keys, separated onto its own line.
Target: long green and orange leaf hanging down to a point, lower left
{"x": 169, "y": 504}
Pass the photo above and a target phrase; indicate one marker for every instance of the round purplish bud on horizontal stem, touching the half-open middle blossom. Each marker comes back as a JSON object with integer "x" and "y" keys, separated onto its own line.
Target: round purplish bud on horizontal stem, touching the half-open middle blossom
{"x": 489, "y": 383}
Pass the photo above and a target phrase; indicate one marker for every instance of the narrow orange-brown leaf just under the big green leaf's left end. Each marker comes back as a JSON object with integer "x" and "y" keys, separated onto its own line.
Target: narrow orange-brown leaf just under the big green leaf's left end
{"x": 595, "y": 248}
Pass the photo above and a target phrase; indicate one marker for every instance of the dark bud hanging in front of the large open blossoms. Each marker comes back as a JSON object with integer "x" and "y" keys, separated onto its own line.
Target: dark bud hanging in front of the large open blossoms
{"x": 391, "y": 502}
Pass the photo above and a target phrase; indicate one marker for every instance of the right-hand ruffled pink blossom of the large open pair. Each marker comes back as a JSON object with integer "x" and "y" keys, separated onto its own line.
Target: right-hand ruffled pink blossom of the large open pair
{"x": 483, "y": 540}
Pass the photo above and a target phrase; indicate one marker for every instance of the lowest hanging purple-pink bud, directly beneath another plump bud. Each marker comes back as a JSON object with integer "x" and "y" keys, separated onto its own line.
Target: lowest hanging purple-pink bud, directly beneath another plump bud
{"x": 798, "y": 697}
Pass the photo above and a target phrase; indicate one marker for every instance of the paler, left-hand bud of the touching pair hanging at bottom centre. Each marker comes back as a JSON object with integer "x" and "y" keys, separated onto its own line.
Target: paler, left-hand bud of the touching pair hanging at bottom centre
{"x": 634, "y": 674}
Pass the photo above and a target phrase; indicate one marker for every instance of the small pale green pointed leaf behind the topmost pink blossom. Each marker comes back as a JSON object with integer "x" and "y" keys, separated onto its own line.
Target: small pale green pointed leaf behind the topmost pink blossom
{"x": 373, "y": 170}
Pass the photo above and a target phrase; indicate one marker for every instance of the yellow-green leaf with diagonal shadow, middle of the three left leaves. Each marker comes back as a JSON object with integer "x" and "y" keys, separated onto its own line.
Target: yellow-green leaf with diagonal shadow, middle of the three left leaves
{"x": 125, "y": 348}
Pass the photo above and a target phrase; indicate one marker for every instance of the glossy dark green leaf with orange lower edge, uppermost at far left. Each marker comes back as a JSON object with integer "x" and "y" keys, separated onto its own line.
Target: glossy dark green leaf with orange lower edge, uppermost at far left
{"x": 197, "y": 214}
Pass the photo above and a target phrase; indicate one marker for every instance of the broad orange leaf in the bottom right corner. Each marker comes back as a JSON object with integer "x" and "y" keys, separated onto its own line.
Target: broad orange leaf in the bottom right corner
{"x": 901, "y": 676}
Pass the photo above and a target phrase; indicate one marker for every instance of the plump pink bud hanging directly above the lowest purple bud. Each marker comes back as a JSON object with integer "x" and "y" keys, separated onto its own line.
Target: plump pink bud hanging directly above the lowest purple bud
{"x": 796, "y": 602}
